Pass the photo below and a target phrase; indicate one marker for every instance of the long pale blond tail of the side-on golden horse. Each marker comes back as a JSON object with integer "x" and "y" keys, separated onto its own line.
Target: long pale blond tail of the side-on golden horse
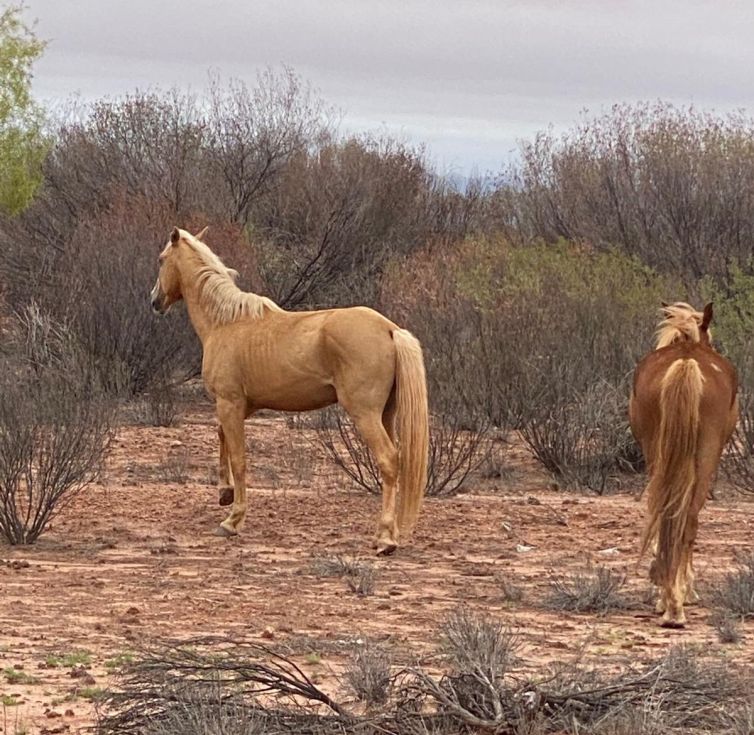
{"x": 413, "y": 427}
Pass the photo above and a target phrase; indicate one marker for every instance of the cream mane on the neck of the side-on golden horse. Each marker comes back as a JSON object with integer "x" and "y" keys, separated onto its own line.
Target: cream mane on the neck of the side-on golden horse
{"x": 219, "y": 295}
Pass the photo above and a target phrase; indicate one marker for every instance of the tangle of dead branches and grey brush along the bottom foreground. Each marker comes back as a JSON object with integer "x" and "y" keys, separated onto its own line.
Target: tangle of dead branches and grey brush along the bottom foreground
{"x": 224, "y": 684}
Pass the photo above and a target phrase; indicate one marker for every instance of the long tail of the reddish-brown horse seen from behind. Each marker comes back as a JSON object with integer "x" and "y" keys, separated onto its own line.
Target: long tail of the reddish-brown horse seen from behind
{"x": 671, "y": 486}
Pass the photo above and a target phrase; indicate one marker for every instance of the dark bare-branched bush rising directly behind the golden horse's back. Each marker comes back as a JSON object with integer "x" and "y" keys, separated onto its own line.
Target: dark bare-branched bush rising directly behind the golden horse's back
{"x": 335, "y": 217}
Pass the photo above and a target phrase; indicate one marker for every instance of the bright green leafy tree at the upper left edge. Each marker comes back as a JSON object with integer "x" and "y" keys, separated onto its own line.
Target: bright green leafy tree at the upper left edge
{"x": 22, "y": 145}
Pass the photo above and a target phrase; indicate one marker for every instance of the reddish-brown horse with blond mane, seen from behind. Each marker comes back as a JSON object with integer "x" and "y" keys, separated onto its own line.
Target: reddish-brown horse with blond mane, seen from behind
{"x": 683, "y": 410}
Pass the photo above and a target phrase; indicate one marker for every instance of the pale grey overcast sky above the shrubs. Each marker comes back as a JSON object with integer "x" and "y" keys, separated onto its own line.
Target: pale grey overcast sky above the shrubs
{"x": 467, "y": 77}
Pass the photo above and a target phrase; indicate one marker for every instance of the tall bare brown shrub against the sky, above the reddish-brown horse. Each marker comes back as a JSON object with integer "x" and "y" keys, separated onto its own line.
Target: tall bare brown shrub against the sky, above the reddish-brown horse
{"x": 669, "y": 185}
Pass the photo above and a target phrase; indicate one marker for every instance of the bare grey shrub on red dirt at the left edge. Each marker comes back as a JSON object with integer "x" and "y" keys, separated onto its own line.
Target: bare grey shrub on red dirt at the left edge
{"x": 55, "y": 426}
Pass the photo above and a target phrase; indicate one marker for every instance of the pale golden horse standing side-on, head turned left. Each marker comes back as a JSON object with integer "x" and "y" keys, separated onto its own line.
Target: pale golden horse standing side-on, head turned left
{"x": 256, "y": 355}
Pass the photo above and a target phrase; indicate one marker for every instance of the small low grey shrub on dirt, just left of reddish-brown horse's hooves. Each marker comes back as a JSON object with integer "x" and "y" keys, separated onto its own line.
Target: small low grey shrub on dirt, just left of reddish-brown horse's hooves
{"x": 594, "y": 589}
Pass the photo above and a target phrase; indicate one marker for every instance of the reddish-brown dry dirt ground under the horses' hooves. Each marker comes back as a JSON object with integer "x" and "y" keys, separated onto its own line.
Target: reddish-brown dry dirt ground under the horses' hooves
{"x": 133, "y": 560}
